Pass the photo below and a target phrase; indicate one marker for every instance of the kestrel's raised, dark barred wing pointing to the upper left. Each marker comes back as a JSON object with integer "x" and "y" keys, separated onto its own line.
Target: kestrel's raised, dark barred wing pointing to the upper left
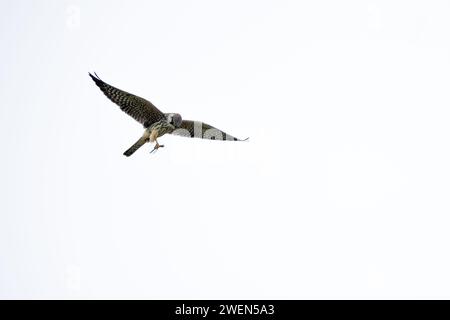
{"x": 140, "y": 109}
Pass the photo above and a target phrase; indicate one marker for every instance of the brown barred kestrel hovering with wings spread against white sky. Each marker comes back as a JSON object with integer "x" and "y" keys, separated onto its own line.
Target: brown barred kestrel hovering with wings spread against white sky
{"x": 155, "y": 122}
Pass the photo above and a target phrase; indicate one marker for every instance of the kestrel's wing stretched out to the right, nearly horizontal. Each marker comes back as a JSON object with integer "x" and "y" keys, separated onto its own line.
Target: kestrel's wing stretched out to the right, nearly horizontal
{"x": 198, "y": 129}
